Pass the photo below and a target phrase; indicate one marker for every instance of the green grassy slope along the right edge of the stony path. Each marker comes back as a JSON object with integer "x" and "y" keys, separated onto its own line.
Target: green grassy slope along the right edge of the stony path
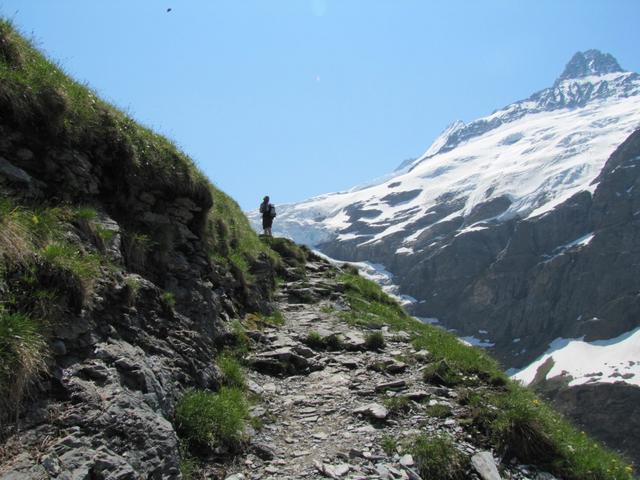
{"x": 508, "y": 415}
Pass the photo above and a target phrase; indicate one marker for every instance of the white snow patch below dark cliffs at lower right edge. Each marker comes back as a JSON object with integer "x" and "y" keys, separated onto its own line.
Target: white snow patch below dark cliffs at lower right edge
{"x": 600, "y": 361}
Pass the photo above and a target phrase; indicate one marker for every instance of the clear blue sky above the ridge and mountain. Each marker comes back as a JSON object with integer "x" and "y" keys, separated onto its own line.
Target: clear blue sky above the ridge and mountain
{"x": 294, "y": 98}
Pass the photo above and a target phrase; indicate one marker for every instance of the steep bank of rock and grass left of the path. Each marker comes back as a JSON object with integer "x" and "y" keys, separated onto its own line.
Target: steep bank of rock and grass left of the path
{"x": 120, "y": 267}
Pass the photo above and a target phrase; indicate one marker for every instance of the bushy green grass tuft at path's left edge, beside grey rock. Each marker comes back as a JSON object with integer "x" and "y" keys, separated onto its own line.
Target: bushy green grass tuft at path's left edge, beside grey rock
{"x": 212, "y": 419}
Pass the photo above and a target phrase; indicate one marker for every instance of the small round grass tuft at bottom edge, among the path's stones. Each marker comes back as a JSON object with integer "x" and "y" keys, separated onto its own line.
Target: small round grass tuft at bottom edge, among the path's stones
{"x": 437, "y": 457}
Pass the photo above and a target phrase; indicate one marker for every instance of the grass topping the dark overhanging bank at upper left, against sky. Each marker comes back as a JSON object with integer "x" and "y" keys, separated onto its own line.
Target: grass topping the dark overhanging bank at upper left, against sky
{"x": 37, "y": 93}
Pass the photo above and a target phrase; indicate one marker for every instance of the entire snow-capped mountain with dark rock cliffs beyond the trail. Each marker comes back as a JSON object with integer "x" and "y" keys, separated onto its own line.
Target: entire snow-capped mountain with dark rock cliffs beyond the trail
{"x": 517, "y": 230}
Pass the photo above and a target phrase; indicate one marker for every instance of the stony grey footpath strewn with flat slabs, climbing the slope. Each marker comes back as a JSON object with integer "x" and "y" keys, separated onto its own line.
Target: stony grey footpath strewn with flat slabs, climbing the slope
{"x": 328, "y": 414}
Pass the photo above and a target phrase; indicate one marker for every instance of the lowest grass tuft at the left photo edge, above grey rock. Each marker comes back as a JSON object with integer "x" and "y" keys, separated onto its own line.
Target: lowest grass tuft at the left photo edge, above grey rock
{"x": 22, "y": 357}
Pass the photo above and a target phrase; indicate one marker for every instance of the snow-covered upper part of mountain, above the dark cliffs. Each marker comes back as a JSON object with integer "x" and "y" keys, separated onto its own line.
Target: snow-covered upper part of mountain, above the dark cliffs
{"x": 522, "y": 159}
